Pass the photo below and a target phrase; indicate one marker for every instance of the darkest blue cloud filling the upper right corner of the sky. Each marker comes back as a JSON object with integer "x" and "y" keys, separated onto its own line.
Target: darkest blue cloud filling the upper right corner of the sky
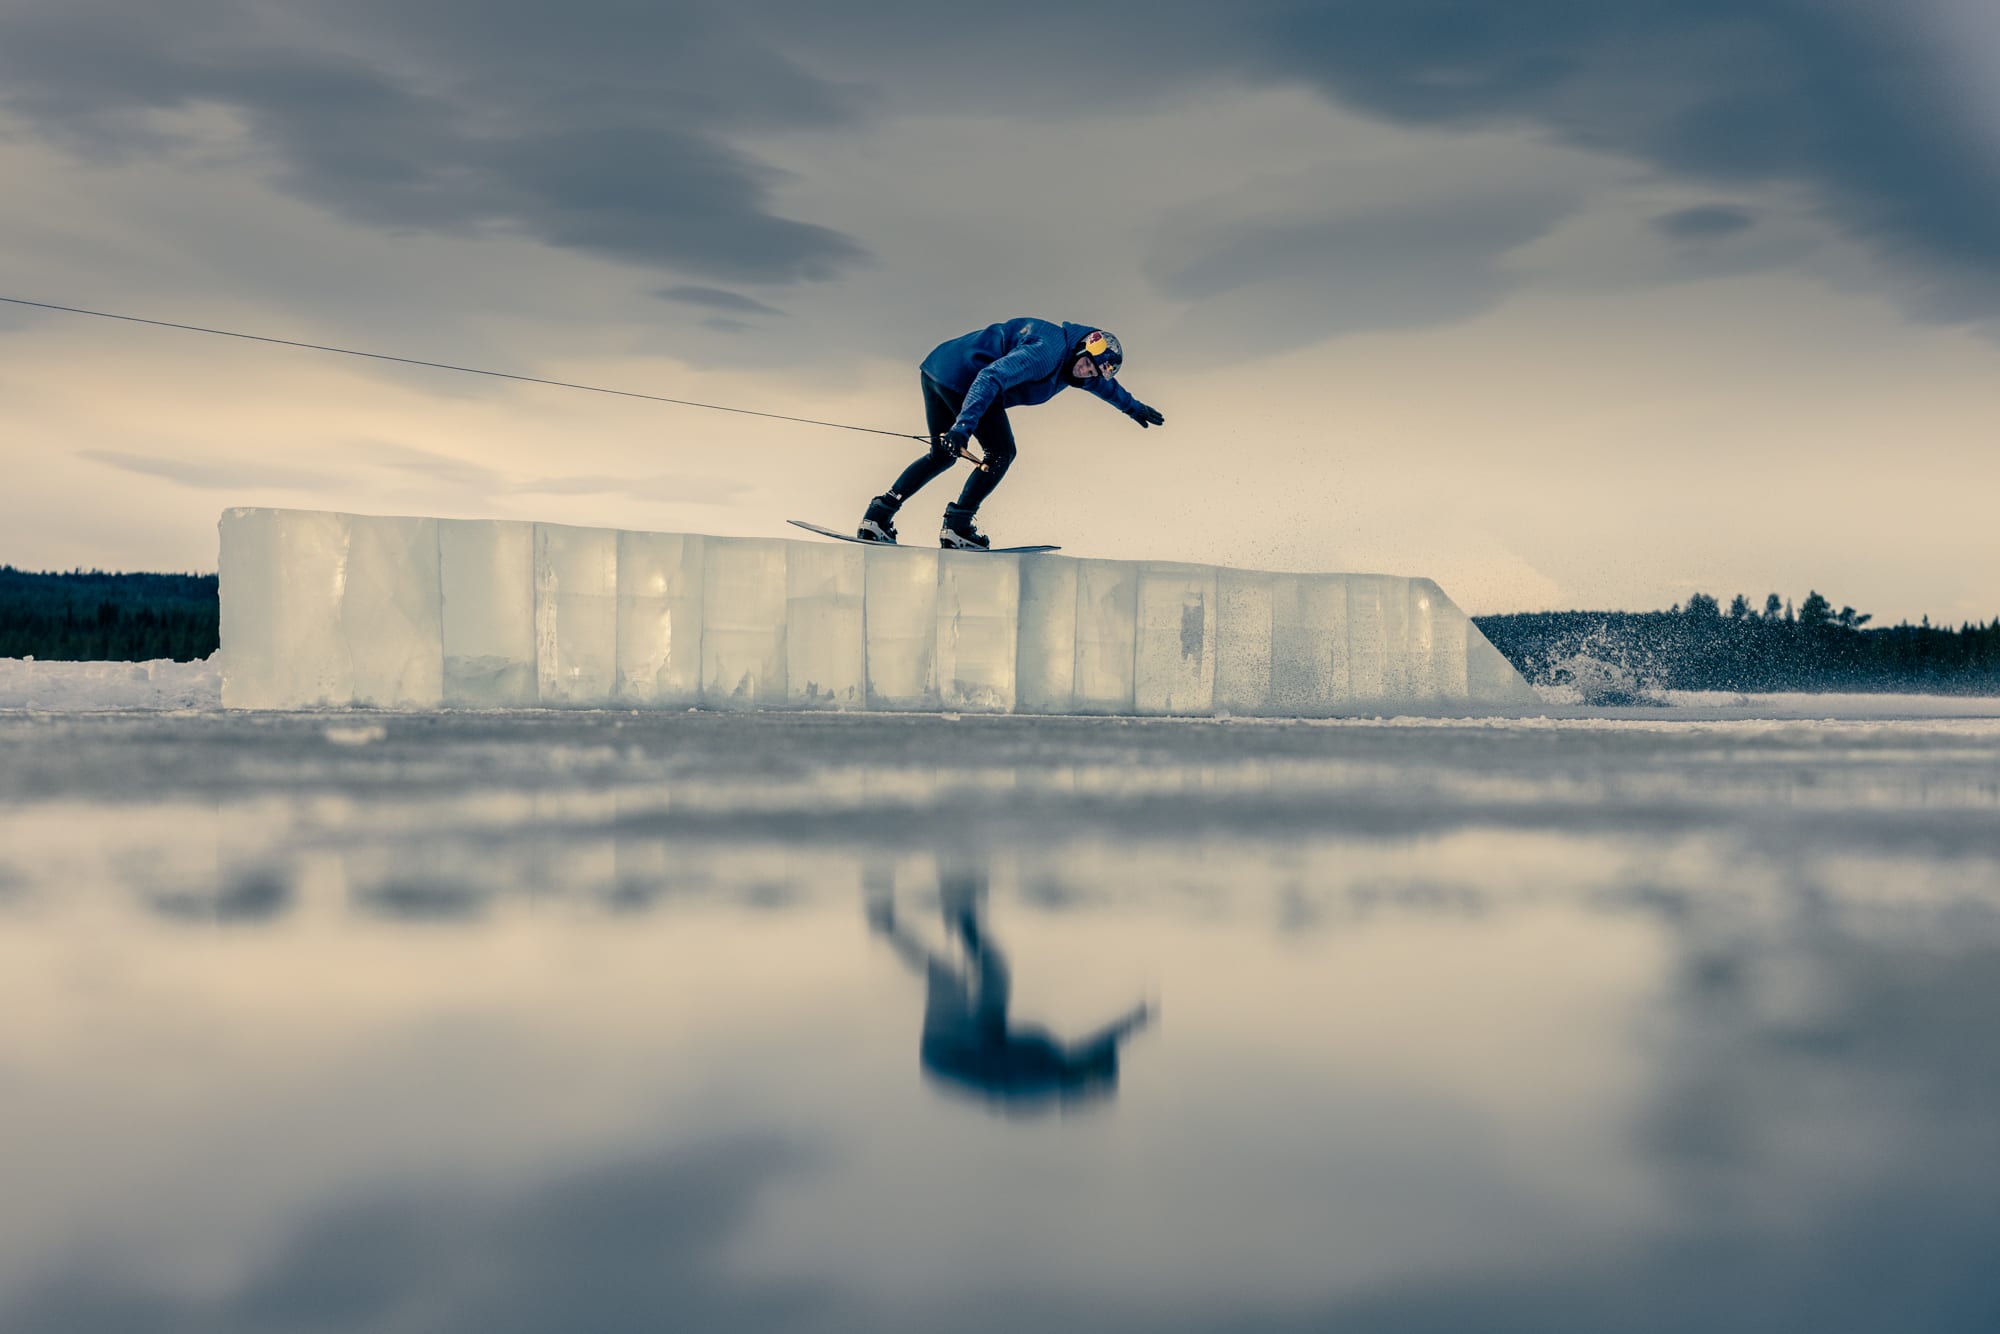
{"x": 1839, "y": 97}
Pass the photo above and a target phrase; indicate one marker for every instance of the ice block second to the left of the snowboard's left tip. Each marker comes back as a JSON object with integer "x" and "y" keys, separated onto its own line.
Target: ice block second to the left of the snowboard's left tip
{"x": 661, "y": 579}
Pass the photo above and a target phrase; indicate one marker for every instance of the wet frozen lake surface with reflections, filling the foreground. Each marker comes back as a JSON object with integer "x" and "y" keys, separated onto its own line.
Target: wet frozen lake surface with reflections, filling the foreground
{"x": 1647, "y": 1021}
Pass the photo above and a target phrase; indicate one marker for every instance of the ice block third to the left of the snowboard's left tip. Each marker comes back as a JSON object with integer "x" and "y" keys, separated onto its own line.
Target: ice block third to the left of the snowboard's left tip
{"x": 577, "y": 615}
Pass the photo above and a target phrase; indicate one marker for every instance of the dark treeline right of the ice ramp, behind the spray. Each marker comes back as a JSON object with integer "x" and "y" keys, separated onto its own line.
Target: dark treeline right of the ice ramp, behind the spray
{"x": 1701, "y": 647}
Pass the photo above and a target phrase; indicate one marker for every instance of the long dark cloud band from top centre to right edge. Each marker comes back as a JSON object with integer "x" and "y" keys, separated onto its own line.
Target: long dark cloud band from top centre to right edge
{"x": 1843, "y": 97}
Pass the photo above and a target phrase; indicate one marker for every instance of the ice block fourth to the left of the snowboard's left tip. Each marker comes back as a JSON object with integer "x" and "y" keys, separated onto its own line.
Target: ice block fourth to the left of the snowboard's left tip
{"x": 487, "y": 577}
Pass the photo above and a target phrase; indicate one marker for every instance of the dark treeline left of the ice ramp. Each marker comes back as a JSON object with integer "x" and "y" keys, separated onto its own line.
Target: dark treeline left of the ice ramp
{"x": 95, "y": 617}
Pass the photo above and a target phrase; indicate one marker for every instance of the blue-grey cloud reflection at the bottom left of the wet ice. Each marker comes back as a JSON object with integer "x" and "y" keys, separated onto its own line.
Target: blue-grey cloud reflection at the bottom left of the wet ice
{"x": 625, "y": 1245}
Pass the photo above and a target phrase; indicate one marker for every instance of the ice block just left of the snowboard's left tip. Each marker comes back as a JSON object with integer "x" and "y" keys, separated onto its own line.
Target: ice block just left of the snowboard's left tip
{"x": 743, "y": 623}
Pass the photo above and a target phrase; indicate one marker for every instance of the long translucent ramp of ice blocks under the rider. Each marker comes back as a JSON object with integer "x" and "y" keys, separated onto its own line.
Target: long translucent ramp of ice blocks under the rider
{"x": 331, "y": 611}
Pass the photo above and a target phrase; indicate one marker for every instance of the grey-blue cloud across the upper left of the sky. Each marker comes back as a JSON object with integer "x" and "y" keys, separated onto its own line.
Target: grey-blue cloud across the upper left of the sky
{"x": 597, "y": 131}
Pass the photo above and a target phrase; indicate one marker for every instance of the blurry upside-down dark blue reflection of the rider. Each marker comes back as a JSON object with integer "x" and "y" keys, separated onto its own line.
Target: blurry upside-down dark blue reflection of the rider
{"x": 967, "y": 1037}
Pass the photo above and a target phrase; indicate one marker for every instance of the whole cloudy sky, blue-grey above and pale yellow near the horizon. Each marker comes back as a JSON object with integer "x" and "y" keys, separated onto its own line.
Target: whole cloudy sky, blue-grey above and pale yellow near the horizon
{"x": 1579, "y": 303}
